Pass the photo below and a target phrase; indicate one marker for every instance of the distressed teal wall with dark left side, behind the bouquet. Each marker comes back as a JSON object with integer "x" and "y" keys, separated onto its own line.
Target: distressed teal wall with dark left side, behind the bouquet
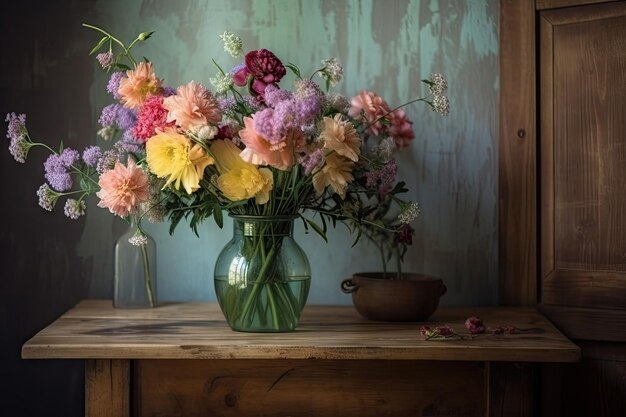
{"x": 50, "y": 262}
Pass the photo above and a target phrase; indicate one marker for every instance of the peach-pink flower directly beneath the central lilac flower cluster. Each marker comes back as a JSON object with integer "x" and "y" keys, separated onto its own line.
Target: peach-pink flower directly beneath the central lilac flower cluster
{"x": 260, "y": 151}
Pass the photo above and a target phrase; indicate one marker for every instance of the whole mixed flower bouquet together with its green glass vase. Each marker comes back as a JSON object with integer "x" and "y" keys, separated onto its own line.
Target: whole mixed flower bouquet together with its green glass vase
{"x": 264, "y": 154}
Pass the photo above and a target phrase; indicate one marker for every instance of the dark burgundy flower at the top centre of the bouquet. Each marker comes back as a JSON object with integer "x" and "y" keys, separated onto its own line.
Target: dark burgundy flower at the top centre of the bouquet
{"x": 264, "y": 67}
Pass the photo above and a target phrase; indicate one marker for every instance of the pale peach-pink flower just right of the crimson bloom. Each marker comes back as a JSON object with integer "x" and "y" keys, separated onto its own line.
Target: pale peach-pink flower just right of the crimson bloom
{"x": 192, "y": 106}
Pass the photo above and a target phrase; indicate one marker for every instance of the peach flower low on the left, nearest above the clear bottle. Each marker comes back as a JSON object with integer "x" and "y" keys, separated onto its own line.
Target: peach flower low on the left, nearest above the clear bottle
{"x": 123, "y": 188}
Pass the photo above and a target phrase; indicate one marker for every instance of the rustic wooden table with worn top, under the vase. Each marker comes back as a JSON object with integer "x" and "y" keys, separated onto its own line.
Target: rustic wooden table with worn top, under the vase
{"x": 183, "y": 360}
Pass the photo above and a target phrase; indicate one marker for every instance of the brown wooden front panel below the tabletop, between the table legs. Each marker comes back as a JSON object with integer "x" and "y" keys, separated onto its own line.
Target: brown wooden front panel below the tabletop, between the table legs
{"x": 309, "y": 388}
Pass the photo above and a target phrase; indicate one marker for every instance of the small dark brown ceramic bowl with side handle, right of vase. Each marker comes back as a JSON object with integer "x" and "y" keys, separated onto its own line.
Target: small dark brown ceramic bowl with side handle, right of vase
{"x": 413, "y": 298}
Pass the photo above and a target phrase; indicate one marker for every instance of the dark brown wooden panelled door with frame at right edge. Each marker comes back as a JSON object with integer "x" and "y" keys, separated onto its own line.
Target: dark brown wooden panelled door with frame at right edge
{"x": 563, "y": 69}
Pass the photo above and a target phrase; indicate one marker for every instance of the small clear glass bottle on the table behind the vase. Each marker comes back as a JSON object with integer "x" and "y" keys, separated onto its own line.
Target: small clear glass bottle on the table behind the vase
{"x": 134, "y": 278}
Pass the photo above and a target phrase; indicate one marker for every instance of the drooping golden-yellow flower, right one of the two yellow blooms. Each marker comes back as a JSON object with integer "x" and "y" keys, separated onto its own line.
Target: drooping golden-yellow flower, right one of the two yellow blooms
{"x": 240, "y": 180}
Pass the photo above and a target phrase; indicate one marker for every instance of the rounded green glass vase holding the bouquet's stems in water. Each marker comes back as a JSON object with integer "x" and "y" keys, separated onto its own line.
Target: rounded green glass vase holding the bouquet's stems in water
{"x": 262, "y": 276}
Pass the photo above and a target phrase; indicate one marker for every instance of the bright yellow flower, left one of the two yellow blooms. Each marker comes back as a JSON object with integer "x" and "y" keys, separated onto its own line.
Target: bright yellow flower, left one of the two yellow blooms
{"x": 173, "y": 156}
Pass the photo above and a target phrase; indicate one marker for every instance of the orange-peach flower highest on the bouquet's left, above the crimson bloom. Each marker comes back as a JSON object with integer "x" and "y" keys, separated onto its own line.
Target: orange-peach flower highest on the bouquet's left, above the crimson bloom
{"x": 138, "y": 84}
